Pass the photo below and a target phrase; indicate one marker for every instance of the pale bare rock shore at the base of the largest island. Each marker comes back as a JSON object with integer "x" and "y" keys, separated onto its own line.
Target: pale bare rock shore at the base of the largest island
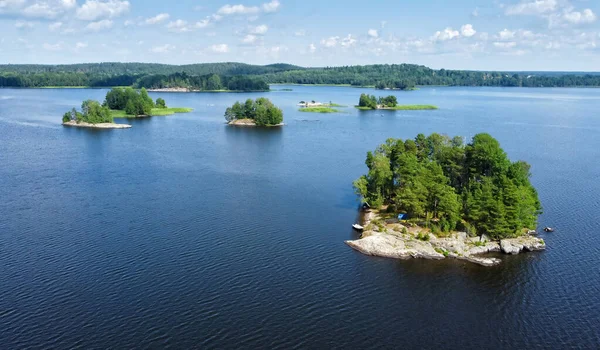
{"x": 402, "y": 242}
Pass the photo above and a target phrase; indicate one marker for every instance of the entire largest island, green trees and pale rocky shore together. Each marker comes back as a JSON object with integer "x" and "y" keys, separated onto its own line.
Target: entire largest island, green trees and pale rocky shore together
{"x": 435, "y": 197}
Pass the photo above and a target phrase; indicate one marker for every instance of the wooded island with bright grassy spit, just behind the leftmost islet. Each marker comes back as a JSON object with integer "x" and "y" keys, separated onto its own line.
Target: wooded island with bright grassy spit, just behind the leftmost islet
{"x": 131, "y": 103}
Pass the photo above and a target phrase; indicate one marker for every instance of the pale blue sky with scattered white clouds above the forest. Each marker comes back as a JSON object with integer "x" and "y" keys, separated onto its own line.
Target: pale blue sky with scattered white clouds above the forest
{"x": 515, "y": 35}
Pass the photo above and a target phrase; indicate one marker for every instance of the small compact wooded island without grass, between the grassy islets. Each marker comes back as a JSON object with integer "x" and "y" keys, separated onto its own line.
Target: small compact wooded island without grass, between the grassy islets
{"x": 260, "y": 112}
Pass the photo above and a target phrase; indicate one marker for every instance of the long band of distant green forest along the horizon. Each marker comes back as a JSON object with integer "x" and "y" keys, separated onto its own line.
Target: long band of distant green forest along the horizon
{"x": 245, "y": 77}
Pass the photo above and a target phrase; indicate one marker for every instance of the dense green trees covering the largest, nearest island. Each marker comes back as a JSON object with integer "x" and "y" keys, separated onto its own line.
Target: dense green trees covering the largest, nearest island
{"x": 446, "y": 185}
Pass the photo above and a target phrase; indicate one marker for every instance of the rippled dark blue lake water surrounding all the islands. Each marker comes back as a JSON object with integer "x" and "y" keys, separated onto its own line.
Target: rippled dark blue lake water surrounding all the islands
{"x": 185, "y": 233}
